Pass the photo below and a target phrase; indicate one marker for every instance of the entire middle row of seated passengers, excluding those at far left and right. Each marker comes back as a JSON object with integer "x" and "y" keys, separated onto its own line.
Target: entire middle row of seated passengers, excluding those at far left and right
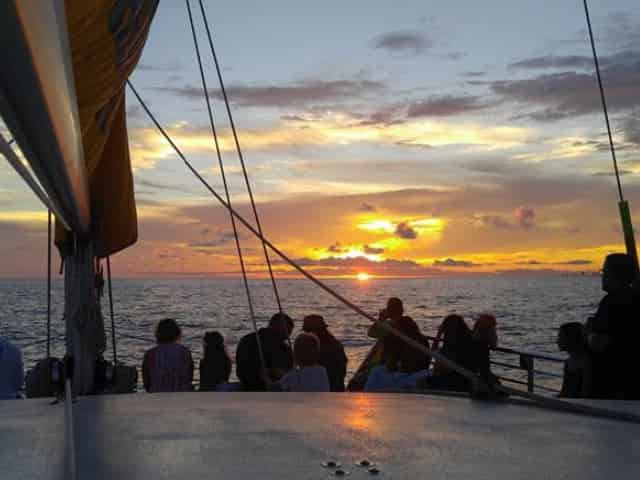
{"x": 317, "y": 362}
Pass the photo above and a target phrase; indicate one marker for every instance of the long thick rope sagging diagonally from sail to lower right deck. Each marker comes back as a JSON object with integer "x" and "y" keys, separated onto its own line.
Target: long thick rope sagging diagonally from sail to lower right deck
{"x": 542, "y": 401}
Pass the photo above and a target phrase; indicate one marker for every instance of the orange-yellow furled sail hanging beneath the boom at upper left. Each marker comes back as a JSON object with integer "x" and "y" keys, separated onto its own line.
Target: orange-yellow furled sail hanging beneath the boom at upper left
{"x": 106, "y": 39}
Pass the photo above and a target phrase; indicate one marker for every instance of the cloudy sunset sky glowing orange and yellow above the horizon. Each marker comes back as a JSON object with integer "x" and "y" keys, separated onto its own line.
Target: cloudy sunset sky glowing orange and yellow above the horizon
{"x": 404, "y": 138}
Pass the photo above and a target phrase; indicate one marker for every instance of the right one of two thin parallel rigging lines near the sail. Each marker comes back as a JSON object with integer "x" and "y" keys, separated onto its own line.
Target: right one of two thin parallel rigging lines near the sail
{"x": 240, "y": 155}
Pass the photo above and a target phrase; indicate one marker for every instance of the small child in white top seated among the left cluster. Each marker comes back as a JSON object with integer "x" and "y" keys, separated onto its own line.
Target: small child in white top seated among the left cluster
{"x": 308, "y": 375}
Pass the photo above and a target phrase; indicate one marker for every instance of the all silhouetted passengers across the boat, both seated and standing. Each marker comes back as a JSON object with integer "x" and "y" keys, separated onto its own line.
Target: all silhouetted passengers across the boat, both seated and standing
{"x": 600, "y": 364}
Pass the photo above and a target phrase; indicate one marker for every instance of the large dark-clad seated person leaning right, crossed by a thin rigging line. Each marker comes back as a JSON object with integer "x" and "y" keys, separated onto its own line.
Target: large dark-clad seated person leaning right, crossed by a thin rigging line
{"x": 277, "y": 354}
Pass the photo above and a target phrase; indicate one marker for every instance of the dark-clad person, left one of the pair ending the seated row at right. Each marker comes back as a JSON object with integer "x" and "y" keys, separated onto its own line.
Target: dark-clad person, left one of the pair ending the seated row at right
{"x": 457, "y": 347}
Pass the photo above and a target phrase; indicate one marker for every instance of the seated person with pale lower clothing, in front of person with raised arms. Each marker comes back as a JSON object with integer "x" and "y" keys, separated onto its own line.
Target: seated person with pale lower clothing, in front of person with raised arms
{"x": 403, "y": 365}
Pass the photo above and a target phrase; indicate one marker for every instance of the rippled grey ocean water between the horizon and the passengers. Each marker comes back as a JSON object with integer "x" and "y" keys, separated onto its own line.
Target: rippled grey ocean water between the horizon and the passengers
{"x": 529, "y": 309}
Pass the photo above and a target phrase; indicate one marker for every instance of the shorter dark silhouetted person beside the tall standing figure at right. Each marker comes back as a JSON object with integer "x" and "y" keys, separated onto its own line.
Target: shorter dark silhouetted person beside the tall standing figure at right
{"x": 576, "y": 381}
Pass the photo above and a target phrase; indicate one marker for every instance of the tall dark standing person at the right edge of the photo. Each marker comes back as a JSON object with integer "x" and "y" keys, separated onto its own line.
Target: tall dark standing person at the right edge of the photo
{"x": 612, "y": 334}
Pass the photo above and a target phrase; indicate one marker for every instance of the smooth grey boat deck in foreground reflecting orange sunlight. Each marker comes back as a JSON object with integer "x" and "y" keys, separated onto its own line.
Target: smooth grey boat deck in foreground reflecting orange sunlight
{"x": 289, "y": 435}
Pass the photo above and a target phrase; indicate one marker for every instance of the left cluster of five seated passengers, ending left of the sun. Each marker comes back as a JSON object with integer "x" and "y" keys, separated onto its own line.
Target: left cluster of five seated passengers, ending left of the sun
{"x": 264, "y": 360}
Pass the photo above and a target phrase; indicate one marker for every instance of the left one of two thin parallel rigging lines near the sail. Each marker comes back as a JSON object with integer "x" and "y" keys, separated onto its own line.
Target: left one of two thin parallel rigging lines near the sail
{"x": 225, "y": 184}
